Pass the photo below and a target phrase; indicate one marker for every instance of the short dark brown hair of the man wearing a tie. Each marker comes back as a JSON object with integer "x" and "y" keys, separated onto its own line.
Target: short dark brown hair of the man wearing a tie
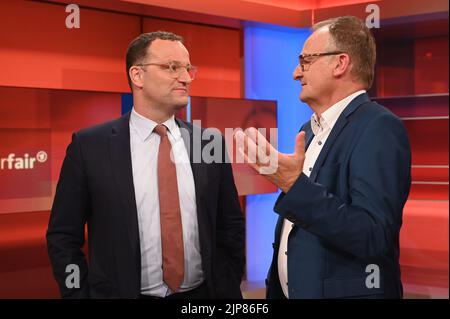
{"x": 137, "y": 49}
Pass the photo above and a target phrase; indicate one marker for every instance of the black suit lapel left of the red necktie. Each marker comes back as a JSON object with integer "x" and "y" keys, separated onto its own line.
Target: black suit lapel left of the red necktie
{"x": 123, "y": 175}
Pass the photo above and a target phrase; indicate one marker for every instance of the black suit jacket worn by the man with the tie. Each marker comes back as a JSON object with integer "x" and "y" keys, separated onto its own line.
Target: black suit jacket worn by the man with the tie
{"x": 96, "y": 187}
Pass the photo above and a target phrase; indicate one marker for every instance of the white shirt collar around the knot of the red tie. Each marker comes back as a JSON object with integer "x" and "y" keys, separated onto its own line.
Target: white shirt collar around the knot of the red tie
{"x": 144, "y": 127}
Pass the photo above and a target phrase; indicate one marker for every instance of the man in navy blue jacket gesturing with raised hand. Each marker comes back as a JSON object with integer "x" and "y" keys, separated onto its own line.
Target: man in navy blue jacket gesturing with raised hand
{"x": 340, "y": 210}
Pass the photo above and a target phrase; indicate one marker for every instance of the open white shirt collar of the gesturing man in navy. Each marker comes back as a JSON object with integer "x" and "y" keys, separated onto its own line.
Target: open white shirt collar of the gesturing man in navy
{"x": 331, "y": 115}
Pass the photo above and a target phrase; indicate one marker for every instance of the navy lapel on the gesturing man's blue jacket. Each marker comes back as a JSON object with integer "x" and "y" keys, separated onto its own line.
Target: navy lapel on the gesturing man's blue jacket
{"x": 338, "y": 127}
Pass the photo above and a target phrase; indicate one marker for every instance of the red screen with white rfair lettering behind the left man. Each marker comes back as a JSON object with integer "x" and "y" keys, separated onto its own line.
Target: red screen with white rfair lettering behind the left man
{"x": 40, "y": 123}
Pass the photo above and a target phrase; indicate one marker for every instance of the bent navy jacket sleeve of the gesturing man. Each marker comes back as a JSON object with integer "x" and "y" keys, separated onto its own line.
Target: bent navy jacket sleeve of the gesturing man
{"x": 379, "y": 179}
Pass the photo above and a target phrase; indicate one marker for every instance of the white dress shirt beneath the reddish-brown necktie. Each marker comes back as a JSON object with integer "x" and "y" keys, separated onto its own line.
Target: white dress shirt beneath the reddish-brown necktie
{"x": 144, "y": 145}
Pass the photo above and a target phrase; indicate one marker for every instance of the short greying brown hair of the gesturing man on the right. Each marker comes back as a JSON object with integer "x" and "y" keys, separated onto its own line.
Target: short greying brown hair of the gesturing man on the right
{"x": 351, "y": 35}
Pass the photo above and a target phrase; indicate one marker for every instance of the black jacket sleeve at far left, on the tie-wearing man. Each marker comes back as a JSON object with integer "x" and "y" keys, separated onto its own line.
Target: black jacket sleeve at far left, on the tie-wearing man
{"x": 66, "y": 228}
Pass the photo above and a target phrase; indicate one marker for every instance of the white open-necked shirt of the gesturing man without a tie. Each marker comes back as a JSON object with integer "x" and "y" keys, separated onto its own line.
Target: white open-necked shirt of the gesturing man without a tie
{"x": 321, "y": 128}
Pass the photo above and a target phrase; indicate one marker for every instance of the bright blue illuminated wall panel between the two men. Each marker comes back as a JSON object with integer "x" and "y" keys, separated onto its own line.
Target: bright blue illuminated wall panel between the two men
{"x": 271, "y": 55}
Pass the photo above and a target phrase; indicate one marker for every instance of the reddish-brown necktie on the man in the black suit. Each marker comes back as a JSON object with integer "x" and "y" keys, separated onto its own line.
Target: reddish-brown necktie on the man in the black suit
{"x": 170, "y": 214}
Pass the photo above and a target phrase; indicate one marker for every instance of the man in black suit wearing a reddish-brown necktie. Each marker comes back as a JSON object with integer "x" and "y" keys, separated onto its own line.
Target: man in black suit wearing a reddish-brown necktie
{"x": 160, "y": 224}
